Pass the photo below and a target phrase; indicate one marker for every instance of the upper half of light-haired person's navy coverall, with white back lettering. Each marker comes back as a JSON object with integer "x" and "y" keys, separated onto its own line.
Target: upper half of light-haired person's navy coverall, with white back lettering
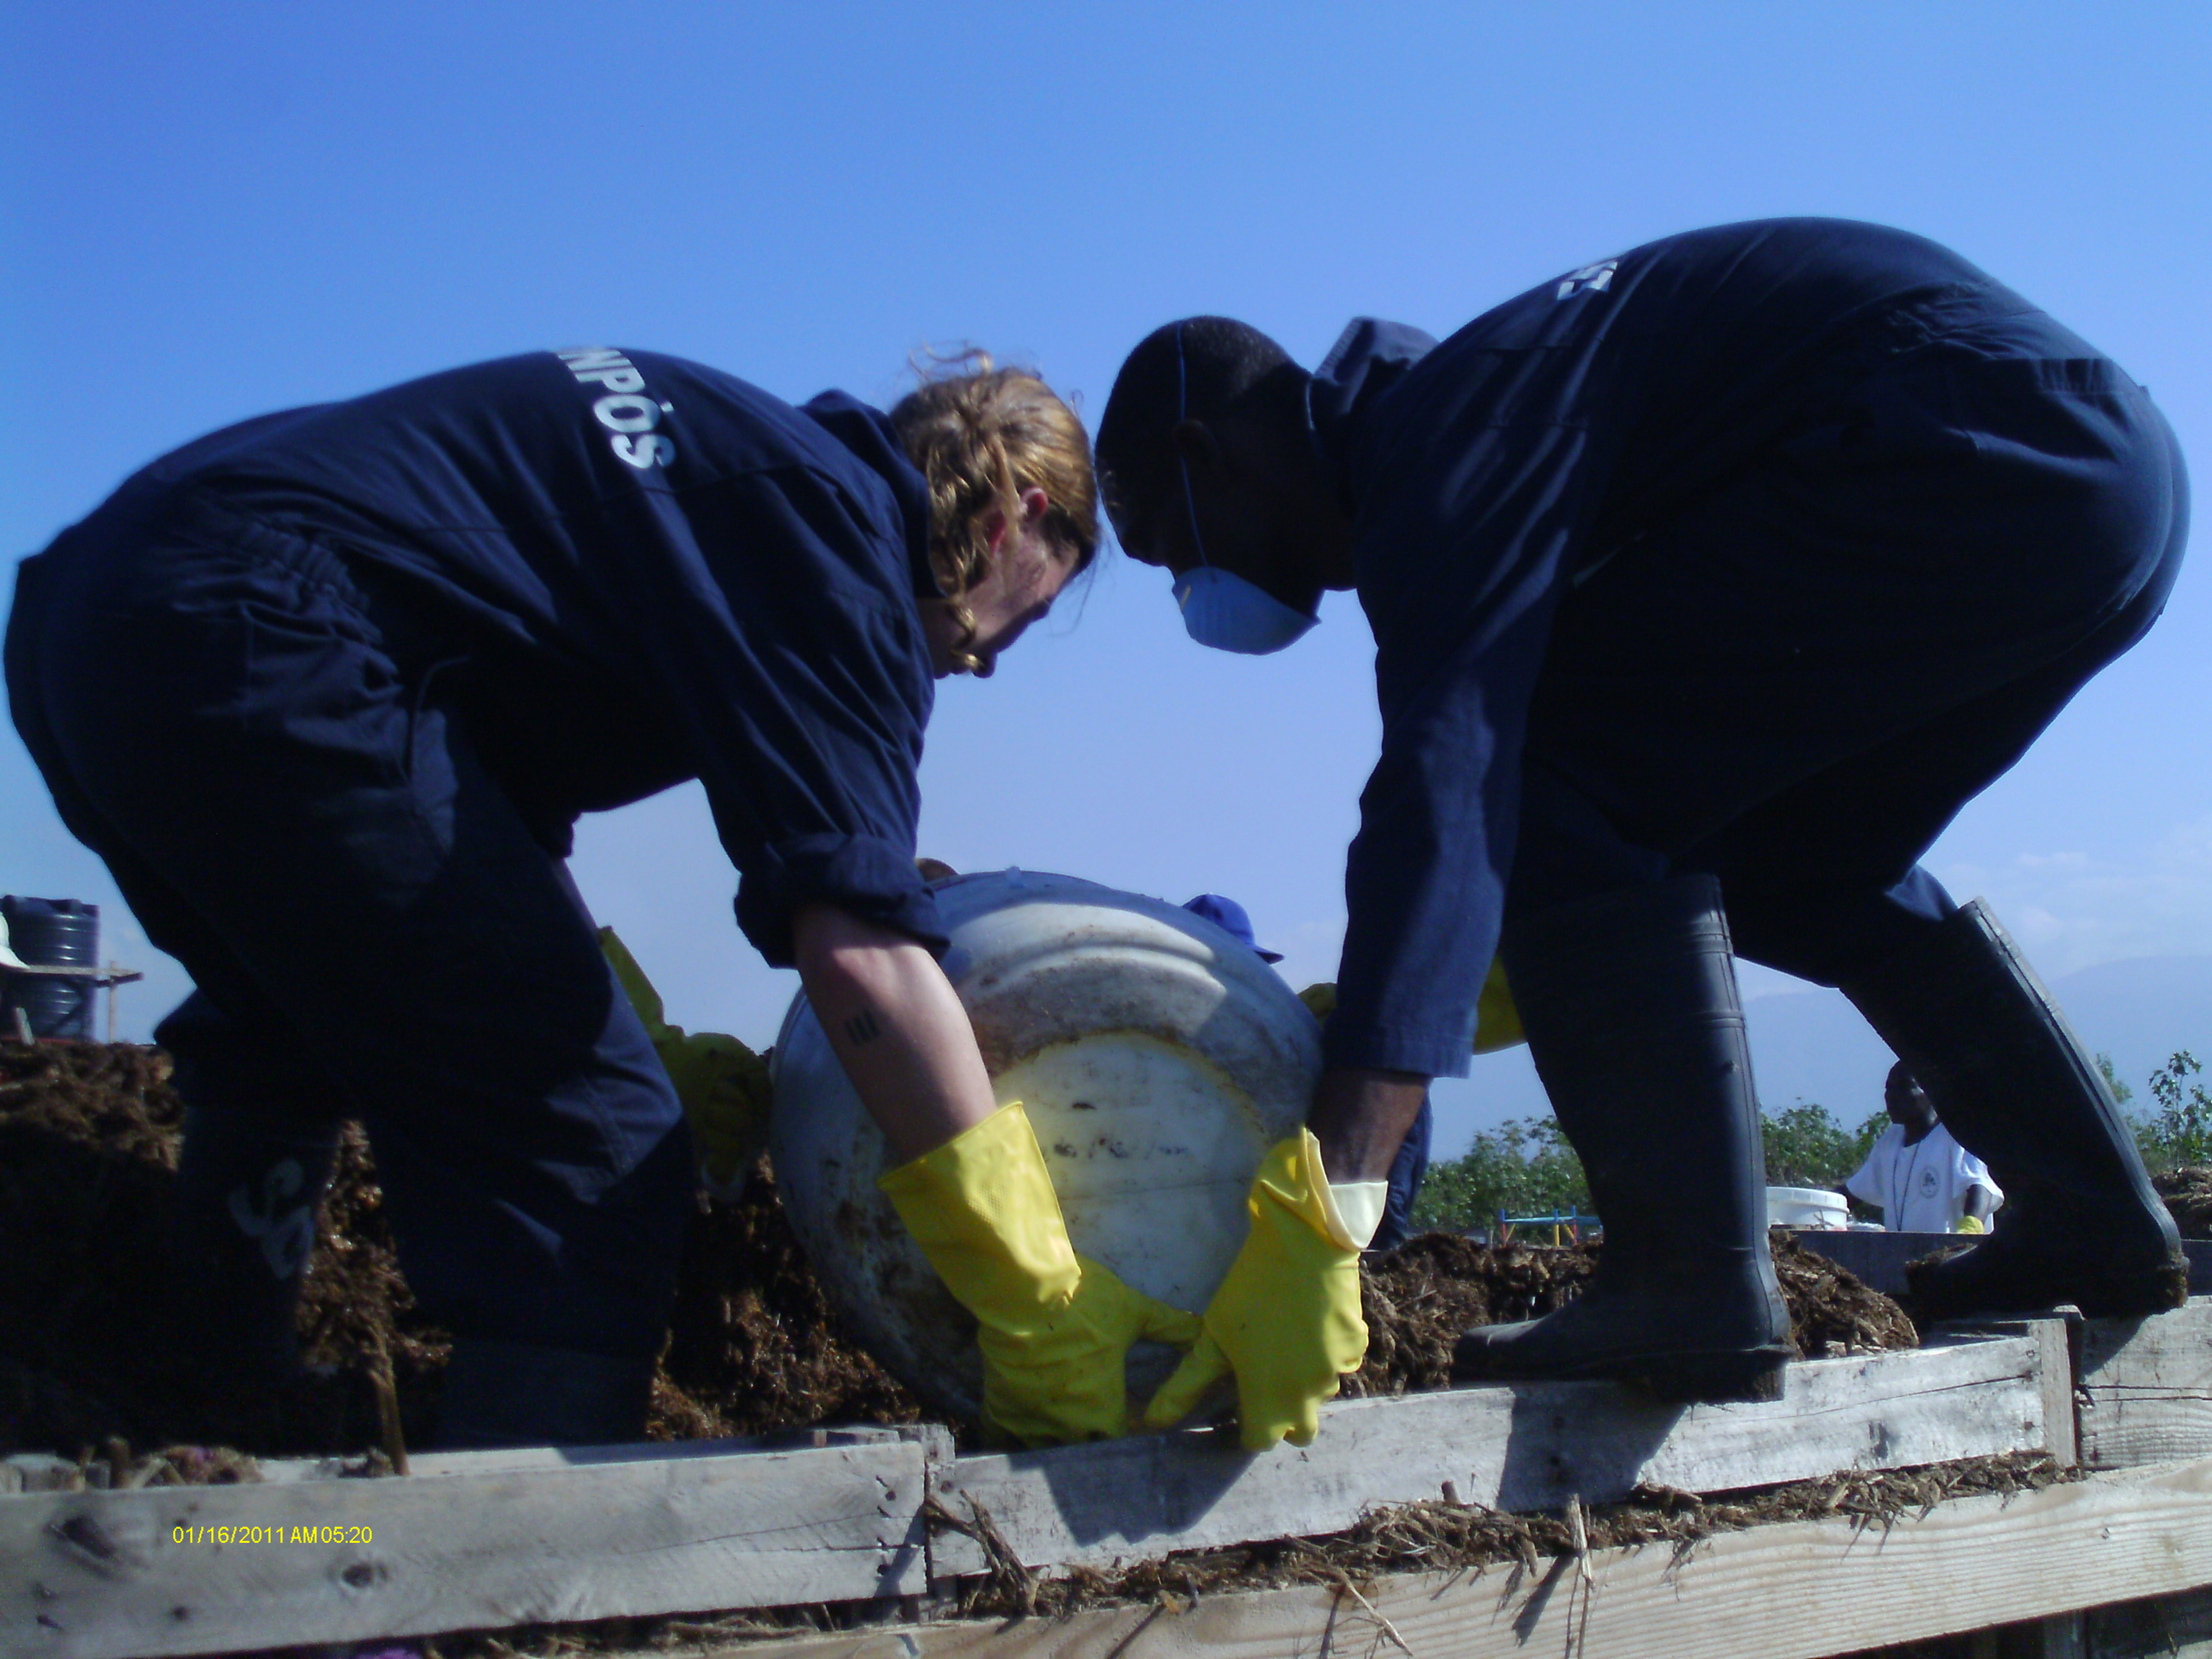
{"x": 629, "y": 572}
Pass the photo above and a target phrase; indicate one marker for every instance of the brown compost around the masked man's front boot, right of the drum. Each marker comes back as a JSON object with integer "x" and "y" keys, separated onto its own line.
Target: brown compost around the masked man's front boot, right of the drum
{"x": 1432, "y": 1288}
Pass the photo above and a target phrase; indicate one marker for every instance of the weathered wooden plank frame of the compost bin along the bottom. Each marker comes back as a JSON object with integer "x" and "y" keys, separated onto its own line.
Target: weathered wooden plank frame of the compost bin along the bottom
{"x": 494, "y": 1541}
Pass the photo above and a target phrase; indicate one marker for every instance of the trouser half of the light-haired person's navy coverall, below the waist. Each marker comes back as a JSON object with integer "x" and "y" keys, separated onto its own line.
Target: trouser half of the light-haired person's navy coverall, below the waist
{"x": 255, "y": 744}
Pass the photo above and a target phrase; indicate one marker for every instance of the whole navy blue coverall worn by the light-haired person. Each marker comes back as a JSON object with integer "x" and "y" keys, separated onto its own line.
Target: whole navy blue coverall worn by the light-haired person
{"x": 328, "y": 691}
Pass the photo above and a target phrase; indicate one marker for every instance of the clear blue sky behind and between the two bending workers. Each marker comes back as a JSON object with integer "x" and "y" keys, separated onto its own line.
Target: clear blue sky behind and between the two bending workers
{"x": 209, "y": 211}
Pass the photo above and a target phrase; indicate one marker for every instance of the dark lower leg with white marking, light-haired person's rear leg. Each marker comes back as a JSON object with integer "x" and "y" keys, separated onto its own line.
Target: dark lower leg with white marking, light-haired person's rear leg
{"x": 247, "y": 1202}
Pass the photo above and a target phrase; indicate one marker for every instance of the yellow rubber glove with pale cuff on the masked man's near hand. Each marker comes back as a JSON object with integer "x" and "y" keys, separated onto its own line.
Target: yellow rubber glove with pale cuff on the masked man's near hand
{"x": 1286, "y": 1319}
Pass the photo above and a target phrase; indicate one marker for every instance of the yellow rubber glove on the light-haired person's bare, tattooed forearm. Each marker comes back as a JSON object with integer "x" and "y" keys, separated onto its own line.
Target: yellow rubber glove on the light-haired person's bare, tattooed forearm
{"x": 1054, "y": 1326}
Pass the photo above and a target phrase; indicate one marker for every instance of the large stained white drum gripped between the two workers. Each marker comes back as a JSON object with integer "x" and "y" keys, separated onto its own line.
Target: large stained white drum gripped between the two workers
{"x": 1158, "y": 1061}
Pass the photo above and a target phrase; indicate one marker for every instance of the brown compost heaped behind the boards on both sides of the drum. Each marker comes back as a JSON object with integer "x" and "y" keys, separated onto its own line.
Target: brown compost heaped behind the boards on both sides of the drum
{"x": 92, "y": 1346}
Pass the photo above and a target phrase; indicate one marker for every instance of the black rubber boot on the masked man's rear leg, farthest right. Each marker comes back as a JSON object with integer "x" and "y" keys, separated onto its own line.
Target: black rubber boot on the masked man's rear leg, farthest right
{"x": 2080, "y": 1220}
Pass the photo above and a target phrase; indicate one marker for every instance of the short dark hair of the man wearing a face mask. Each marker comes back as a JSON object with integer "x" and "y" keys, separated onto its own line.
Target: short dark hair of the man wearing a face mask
{"x": 1224, "y": 364}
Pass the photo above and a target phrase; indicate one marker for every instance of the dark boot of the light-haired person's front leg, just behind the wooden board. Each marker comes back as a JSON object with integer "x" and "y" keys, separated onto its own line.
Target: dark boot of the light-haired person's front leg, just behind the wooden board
{"x": 521, "y": 1395}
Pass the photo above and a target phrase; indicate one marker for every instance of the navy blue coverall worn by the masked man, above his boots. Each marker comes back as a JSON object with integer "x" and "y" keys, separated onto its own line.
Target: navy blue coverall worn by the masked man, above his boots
{"x": 1755, "y": 552}
